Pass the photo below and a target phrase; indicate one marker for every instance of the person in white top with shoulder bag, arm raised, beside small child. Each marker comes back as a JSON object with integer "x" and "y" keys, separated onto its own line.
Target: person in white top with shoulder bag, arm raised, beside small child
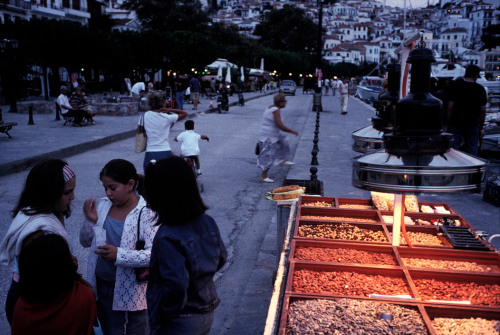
{"x": 157, "y": 123}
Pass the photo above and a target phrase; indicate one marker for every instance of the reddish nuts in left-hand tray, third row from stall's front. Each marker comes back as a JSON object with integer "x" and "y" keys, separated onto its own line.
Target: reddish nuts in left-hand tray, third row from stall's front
{"x": 342, "y": 255}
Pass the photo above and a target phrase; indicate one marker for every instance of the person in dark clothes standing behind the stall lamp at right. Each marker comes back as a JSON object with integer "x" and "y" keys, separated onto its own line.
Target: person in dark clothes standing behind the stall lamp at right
{"x": 466, "y": 111}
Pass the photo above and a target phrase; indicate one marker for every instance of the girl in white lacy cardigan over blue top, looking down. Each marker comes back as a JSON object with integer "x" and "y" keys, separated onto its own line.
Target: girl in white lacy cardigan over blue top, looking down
{"x": 110, "y": 230}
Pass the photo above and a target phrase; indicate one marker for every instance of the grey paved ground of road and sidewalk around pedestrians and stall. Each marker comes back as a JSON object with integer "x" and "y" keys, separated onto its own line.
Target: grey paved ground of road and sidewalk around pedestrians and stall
{"x": 233, "y": 192}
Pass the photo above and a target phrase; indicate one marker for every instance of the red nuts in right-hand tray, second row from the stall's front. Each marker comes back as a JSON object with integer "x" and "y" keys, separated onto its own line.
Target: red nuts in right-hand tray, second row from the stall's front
{"x": 477, "y": 294}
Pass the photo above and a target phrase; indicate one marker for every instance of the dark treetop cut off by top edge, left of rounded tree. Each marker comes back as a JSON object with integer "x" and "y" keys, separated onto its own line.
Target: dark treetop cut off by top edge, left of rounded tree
{"x": 170, "y": 15}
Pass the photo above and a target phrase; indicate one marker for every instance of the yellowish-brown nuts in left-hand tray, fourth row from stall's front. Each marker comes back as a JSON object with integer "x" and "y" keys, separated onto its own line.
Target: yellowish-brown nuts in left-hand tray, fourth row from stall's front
{"x": 342, "y": 231}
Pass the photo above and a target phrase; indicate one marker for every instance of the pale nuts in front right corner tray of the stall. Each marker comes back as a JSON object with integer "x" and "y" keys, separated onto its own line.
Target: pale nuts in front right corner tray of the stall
{"x": 473, "y": 326}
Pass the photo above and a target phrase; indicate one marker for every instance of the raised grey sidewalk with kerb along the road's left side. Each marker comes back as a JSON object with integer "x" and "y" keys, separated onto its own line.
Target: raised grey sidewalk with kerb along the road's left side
{"x": 49, "y": 138}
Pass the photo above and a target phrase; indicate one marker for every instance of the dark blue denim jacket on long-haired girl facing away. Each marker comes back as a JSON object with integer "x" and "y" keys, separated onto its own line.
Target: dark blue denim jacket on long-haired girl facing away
{"x": 184, "y": 260}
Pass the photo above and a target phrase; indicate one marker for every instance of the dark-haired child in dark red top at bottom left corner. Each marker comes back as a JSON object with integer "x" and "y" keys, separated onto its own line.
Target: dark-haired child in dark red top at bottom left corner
{"x": 54, "y": 299}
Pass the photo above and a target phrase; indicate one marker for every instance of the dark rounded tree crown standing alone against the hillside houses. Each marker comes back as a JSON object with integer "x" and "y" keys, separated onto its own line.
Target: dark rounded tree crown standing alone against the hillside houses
{"x": 288, "y": 29}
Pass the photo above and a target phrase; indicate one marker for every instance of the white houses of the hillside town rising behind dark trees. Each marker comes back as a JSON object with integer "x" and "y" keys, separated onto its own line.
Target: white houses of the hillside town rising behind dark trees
{"x": 355, "y": 31}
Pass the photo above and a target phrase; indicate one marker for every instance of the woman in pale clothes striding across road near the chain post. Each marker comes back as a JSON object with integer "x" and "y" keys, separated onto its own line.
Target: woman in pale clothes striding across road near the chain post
{"x": 273, "y": 145}
